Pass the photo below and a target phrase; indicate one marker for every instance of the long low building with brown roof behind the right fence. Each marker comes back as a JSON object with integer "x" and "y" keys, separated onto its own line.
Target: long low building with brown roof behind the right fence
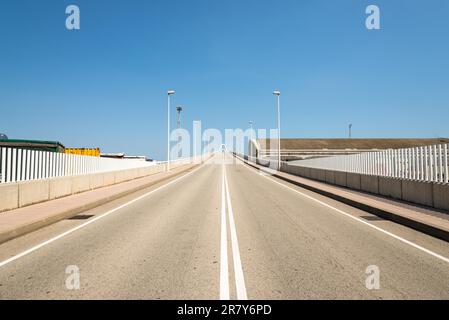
{"x": 301, "y": 149}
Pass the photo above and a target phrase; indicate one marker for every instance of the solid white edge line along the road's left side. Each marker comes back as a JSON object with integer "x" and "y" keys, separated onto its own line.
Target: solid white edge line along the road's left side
{"x": 32, "y": 249}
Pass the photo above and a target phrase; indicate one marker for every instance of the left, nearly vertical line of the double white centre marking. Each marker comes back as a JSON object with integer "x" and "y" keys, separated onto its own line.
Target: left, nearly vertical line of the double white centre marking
{"x": 224, "y": 273}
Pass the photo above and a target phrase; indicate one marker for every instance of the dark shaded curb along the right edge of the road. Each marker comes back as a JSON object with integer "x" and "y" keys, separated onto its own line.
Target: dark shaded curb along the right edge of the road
{"x": 388, "y": 215}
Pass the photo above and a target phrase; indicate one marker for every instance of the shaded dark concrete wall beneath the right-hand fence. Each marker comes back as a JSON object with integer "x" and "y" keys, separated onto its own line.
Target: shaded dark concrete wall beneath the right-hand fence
{"x": 429, "y": 194}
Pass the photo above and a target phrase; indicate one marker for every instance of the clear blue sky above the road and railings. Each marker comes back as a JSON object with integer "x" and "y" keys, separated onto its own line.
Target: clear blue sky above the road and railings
{"x": 104, "y": 85}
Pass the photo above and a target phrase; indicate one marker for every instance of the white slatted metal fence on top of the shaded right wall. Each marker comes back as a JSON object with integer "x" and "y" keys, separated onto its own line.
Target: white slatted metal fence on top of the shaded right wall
{"x": 429, "y": 163}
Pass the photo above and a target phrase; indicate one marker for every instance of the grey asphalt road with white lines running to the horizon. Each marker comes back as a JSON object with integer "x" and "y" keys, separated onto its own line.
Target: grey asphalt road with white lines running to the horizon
{"x": 224, "y": 231}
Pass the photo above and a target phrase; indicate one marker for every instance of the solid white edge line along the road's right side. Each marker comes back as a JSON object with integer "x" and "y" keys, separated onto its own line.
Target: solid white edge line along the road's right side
{"x": 410, "y": 243}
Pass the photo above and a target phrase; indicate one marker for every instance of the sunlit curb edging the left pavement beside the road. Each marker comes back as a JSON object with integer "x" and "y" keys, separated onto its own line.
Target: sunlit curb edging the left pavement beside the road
{"x": 27, "y": 228}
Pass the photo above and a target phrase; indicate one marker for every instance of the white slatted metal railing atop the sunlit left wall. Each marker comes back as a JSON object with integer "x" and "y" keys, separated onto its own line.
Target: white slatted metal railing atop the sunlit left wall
{"x": 23, "y": 165}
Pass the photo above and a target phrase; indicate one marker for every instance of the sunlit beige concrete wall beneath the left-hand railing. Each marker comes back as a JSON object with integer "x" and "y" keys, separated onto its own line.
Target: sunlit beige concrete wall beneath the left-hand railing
{"x": 16, "y": 195}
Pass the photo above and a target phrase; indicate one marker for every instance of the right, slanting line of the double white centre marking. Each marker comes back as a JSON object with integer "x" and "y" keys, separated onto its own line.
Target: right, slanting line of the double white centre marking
{"x": 238, "y": 271}
